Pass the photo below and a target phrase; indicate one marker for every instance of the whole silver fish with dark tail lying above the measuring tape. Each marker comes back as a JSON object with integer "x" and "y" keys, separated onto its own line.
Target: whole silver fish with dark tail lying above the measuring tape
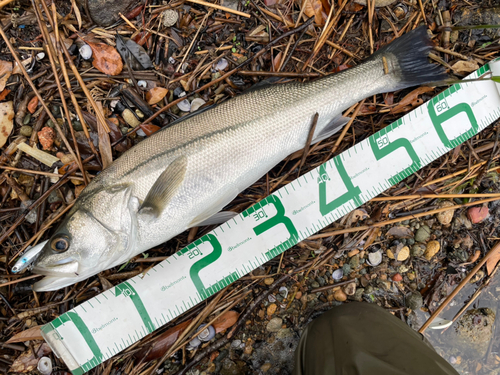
{"x": 184, "y": 175}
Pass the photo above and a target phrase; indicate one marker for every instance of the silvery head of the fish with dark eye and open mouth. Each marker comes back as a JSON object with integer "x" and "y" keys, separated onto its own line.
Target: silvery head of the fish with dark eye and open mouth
{"x": 81, "y": 247}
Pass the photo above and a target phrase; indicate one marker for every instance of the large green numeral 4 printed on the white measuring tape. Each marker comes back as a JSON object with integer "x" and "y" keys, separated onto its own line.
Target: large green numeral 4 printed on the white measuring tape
{"x": 353, "y": 192}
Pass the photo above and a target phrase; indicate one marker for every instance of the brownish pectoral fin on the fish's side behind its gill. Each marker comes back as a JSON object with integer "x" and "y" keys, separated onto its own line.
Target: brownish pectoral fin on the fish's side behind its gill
{"x": 164, "y": 188}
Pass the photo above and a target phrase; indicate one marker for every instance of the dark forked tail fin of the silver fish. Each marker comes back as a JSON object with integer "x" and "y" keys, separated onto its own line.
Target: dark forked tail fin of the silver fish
{"x": 410, "y": 53}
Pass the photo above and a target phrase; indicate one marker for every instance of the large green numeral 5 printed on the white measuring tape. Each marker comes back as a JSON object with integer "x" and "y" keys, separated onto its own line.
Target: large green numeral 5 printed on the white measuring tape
{"x": 382, "y": 147}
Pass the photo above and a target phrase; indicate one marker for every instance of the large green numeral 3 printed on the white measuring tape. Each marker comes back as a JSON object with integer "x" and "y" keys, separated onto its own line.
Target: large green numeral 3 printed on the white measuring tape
{"x": 279, "y": 218}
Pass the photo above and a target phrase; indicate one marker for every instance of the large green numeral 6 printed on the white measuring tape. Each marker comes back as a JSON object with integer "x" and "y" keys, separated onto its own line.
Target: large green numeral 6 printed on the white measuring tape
{"x": 437, "y": 120}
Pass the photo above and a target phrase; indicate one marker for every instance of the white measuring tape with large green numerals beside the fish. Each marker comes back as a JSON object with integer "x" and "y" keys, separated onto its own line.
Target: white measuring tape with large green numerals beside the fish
{"x": 105, "y": 325}
